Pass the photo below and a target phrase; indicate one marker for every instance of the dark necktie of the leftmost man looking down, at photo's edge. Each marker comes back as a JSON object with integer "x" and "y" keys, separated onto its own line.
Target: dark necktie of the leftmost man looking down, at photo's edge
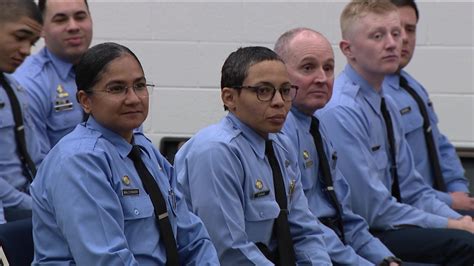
{"x": 29, "y": 167}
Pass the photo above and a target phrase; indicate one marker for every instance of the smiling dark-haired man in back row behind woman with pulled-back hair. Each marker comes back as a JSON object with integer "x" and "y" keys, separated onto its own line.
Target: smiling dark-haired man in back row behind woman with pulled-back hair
{"x": 48, "y": 75}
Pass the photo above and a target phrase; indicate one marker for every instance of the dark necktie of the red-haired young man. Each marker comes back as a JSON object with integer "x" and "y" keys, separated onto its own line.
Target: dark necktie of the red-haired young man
{"x": 392, "y": 147}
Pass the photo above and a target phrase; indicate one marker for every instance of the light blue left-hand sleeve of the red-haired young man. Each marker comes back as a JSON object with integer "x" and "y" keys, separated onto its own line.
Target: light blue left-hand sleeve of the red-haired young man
{"x": 370, "y": 198}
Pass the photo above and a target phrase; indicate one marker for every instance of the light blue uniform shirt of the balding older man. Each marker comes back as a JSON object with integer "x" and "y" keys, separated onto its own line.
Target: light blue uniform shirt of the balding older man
{"x": 358, "y": 239}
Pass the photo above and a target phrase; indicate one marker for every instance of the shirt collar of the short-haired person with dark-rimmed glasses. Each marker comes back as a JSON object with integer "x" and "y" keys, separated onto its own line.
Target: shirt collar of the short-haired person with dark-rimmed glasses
{"x": 255, "y": 140}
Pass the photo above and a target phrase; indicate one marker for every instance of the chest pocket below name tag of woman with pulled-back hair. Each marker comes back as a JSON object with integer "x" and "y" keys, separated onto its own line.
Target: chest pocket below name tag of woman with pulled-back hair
{"x": 137, "y": 207}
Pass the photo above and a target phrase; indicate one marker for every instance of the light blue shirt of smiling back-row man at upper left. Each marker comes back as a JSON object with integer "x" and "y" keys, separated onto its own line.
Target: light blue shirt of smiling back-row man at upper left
{"x": 51, "y": 85}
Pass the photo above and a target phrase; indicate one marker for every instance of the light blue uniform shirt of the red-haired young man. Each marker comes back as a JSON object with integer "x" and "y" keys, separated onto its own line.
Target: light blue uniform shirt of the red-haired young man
{"x": 357, "y": 130}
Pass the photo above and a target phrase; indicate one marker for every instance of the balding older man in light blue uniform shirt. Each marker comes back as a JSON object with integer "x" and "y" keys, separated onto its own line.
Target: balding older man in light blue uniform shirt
{"x": 309, "y": 58}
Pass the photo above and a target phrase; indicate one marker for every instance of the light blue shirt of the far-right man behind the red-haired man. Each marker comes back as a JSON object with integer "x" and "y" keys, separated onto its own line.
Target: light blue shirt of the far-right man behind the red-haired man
{"x": 412, "y": 122}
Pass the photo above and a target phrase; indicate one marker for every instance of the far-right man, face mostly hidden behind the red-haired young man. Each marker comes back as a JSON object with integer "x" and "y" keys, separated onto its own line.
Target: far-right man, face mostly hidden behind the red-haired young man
{"x": 457, "y": 185}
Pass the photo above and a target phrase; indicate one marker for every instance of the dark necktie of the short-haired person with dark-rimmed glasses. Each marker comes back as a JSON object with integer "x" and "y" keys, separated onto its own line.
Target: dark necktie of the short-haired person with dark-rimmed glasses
{"x": 281, "y": 227}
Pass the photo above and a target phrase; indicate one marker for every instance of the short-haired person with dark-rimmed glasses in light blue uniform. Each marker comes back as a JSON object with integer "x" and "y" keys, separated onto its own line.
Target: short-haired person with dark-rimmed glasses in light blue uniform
{"x": 225, "y": 175}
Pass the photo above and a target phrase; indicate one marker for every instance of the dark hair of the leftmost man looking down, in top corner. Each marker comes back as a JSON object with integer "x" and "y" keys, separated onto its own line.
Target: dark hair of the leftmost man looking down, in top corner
{"x": 13, "y": 10}
